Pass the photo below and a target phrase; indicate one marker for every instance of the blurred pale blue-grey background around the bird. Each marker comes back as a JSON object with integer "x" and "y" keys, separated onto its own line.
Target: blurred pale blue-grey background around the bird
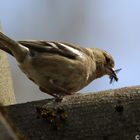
{"x": 111, "y": 25}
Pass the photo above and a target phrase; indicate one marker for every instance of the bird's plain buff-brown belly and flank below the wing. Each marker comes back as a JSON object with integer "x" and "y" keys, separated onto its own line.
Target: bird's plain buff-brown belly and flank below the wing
{"x": 68, "y": 74}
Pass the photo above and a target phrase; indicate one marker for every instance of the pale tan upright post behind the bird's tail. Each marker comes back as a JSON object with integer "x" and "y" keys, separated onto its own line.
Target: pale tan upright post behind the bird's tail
{"x": 7, "y": 96}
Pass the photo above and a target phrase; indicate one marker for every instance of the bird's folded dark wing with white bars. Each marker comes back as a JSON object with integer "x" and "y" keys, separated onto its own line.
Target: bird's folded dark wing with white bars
{"x": 59, "y": 48}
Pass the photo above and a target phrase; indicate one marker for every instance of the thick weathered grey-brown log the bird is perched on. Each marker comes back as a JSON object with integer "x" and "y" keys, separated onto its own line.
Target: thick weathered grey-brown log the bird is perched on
{"x": 107, "y": 115}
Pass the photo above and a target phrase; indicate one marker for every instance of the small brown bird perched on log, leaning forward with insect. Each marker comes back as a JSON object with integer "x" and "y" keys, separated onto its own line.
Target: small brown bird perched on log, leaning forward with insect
{"x": 58, "y": 68}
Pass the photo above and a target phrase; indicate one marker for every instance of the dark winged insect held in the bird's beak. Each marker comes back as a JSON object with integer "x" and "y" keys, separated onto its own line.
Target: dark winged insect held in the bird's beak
{"x": 113, "y": 76}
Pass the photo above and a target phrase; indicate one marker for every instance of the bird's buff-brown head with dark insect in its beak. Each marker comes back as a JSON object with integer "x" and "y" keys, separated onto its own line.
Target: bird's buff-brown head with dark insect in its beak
{"x": 105, "y": 64}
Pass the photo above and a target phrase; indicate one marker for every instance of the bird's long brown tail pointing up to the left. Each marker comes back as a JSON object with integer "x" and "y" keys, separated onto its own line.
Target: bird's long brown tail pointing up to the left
{"x": 12, "y": 47}
